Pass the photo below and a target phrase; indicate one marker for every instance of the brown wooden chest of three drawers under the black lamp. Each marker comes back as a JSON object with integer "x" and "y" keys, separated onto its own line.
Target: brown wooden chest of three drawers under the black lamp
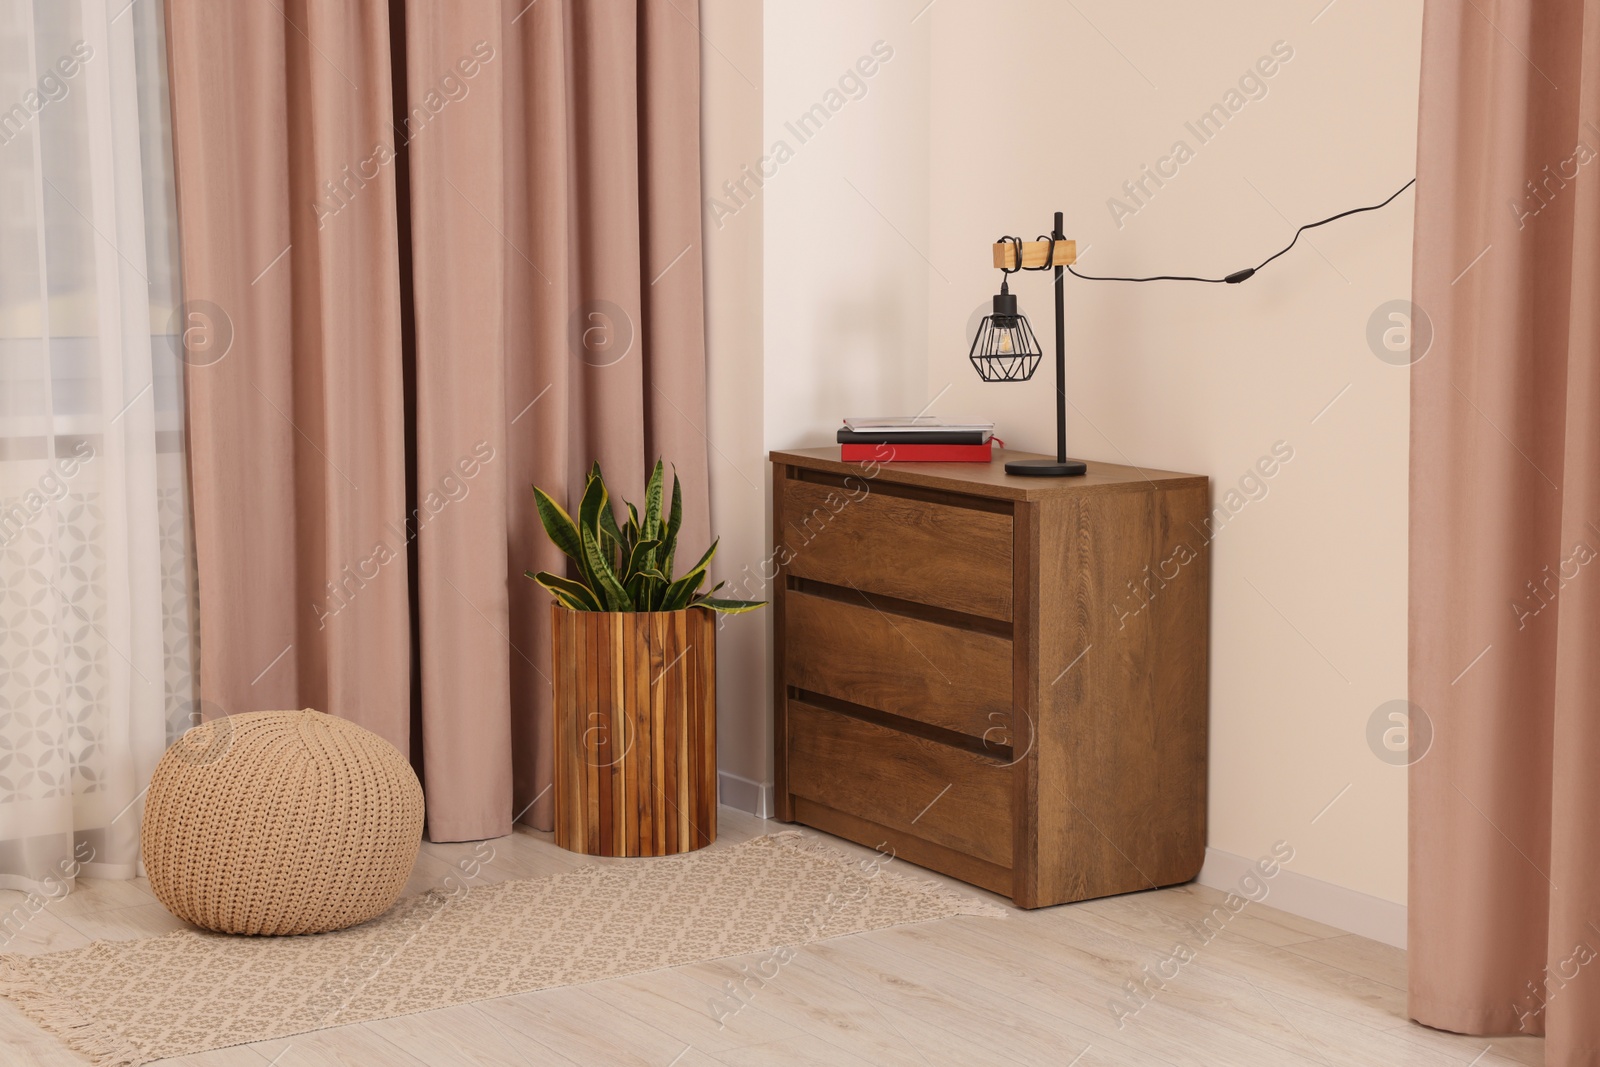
{"x": 1001, "y": 679}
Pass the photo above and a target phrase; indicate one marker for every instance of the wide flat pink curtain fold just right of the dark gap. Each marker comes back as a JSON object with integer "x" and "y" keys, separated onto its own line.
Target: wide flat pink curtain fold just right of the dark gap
{"x": 458, "y": 188}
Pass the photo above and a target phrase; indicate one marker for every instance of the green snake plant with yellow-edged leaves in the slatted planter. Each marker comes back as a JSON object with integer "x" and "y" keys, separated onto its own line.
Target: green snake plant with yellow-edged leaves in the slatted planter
{"x": 630, "y": 567}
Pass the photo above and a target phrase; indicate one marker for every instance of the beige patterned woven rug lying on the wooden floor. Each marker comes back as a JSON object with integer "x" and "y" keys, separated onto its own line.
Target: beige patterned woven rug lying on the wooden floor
{"x": 127, "y": 1002}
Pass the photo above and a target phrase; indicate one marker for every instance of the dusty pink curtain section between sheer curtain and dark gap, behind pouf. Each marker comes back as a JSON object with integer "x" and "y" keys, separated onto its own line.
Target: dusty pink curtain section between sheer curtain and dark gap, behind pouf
{"x": 297, "y": 431}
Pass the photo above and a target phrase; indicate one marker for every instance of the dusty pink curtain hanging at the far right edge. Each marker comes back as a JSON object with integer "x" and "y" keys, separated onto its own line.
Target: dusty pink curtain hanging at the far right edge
{"x": 1505, "y": 890}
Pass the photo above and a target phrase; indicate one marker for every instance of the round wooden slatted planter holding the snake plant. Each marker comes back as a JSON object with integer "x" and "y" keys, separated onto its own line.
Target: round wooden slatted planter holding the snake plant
{"x": 636, "y": 730}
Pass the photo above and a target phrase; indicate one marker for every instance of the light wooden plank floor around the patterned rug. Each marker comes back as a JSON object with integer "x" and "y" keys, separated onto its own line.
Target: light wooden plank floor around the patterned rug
{"x": 1273, "y": 991}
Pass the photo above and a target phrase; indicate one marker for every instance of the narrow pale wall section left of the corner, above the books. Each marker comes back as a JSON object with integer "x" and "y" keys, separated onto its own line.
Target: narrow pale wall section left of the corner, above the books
{"x": 847, "y": 298}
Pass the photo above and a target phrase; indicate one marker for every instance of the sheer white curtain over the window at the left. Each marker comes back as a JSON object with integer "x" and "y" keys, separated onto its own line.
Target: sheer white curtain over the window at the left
{"x": 97, "y": 591}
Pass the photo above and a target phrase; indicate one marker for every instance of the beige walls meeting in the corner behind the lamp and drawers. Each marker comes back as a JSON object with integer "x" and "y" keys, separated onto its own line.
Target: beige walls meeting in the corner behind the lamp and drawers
{"x": 986, "y": 121}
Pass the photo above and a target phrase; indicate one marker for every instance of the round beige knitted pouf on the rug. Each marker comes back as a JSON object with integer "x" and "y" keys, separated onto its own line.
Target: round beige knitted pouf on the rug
{"x": 281, "y": 823}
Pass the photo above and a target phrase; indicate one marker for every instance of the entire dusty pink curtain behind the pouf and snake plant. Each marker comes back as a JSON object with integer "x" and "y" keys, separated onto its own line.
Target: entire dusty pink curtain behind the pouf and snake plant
{"x": 513, "y": 252}
